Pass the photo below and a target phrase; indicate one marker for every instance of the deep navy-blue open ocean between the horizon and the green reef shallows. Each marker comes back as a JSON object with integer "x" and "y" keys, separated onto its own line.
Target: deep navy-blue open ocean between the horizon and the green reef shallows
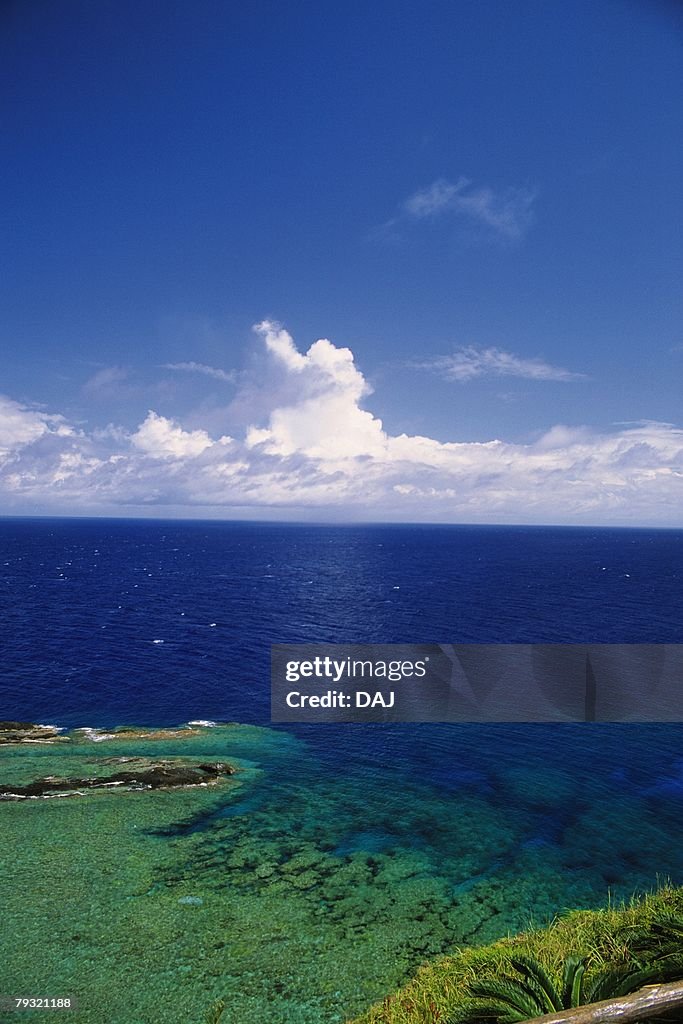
{"x": 87, "y": 602}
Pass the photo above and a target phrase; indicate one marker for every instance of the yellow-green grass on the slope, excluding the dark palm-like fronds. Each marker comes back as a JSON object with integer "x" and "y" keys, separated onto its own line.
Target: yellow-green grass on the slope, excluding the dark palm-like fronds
{"x": 440, "y": 992}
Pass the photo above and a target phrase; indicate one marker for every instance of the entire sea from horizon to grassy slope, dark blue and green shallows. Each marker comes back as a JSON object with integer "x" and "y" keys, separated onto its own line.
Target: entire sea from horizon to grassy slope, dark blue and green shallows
{"x": 344, "y": 857}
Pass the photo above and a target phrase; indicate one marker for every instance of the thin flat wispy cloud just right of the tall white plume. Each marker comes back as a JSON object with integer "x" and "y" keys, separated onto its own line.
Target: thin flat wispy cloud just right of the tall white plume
{"x": 471, "y": 363}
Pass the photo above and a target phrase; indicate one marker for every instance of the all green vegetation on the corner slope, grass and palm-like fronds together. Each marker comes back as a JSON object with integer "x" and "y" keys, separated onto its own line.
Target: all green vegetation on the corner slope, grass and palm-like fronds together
{"x": 583, "y": 956}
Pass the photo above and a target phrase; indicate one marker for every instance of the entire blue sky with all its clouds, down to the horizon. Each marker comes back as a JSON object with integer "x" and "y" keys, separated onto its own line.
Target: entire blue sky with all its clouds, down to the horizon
{"x": 478, "y": 205}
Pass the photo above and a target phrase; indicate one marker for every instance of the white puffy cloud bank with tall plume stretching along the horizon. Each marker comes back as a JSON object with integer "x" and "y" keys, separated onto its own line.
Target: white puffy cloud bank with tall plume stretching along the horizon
{"x": 321, "y": 454}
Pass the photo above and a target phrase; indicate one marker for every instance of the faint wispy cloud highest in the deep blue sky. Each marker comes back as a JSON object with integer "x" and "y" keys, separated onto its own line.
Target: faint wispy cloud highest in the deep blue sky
{"x": 507, "y": 212}
